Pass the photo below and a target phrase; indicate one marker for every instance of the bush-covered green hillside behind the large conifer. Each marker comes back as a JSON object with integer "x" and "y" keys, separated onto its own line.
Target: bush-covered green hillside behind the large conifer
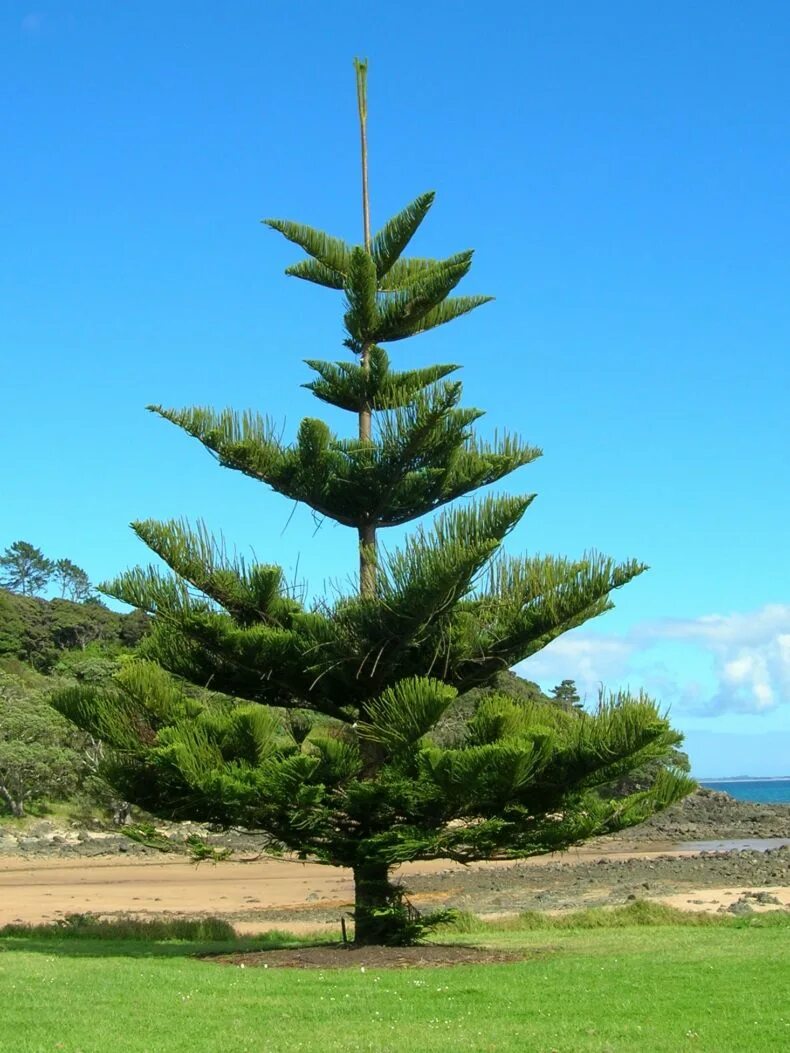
{"x": 48, "y": 645}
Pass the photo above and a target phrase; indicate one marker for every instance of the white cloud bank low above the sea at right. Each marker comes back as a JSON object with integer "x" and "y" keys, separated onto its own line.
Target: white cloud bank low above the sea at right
{"x": 704, "y": 667}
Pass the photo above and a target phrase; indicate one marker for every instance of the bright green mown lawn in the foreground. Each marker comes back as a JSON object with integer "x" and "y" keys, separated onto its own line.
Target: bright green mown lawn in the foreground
{"x": 591, "y": 985}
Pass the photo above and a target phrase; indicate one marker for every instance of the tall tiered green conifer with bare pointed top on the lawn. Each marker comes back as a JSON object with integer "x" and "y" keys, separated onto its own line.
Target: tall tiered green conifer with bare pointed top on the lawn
{"x": 367, "y": 787}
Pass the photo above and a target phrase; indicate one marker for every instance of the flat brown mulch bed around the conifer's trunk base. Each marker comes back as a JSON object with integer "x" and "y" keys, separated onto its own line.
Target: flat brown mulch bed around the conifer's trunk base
{"x": 373, "y": 958}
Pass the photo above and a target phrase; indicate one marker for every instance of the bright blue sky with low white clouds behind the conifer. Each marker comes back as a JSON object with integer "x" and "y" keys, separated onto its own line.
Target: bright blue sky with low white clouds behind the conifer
{"x": 622, "y": 171}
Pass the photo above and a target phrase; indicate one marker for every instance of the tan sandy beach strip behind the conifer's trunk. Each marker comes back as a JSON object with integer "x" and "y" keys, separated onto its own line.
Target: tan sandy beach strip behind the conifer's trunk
{"x": 267, "y": 893}
